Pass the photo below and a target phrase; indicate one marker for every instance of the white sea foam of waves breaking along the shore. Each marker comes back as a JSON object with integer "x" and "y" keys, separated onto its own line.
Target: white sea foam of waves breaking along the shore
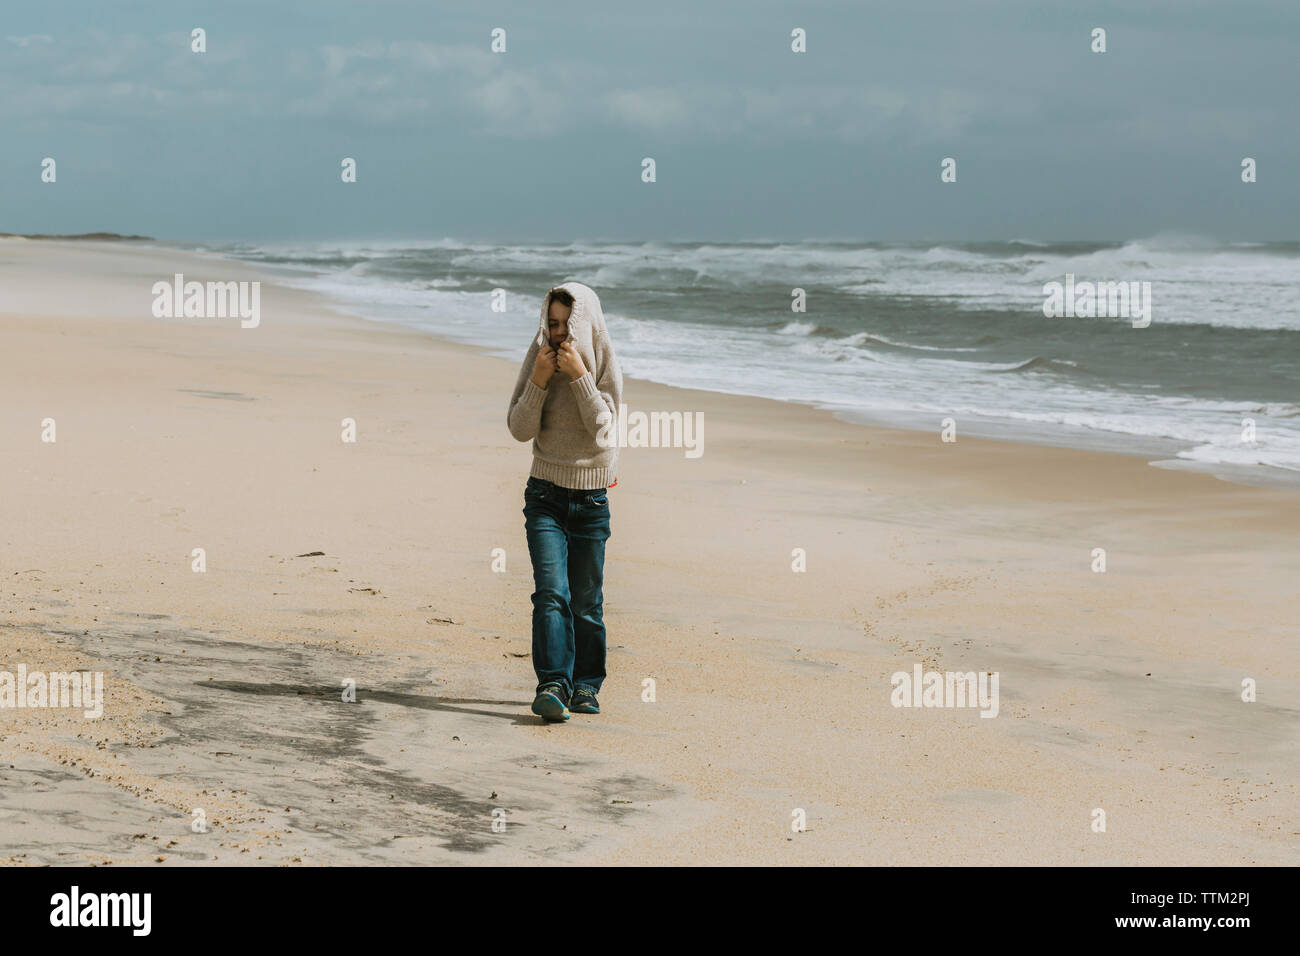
{"x": 443, "y": 287}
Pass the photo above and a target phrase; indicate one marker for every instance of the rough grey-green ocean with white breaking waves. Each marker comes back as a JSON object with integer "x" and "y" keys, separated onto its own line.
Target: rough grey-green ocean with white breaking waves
{"x": 904, "y": 335}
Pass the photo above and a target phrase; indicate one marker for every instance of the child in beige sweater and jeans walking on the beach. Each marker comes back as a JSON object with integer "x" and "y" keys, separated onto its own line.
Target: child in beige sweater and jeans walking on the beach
{"x": 569, "y": 388}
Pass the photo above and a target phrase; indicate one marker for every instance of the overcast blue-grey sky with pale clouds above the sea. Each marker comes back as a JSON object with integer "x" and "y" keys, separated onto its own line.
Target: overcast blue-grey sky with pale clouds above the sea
{"x": 751, "y": 141}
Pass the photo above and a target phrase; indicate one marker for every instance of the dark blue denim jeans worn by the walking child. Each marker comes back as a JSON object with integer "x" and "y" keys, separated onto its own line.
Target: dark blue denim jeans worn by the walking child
{"x": 567, "y": 531}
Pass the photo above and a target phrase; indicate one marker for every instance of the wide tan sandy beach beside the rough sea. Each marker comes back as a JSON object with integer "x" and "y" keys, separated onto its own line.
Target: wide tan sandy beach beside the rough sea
{"x": 1120, "y": 691}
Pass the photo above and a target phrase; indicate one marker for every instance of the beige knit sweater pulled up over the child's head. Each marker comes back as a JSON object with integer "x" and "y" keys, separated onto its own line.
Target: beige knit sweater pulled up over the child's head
{"x": 565, "y": 419}
